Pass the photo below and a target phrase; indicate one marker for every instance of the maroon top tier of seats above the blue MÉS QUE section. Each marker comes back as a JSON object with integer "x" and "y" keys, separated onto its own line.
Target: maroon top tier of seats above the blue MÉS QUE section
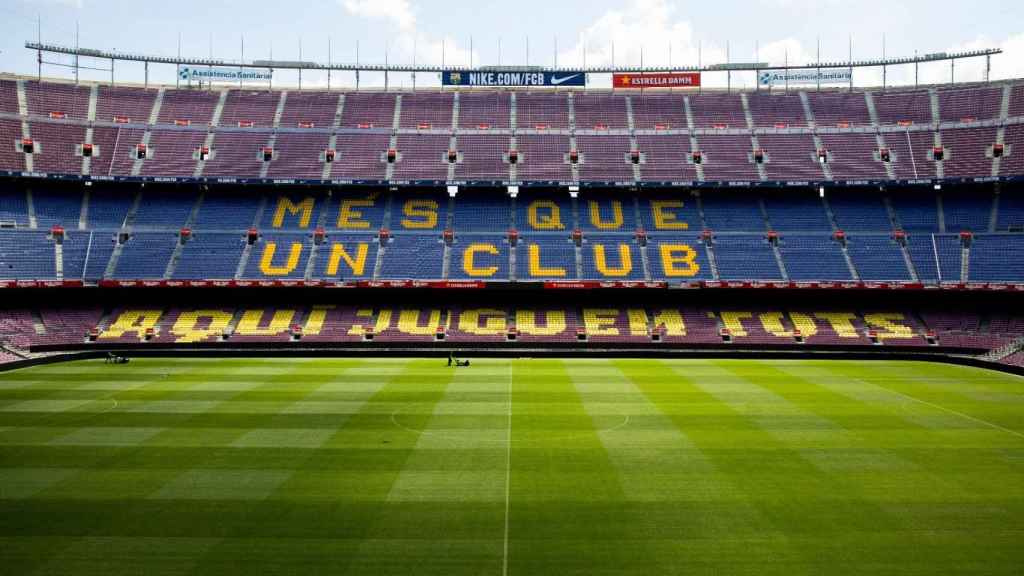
{"x": 311, "y": 121}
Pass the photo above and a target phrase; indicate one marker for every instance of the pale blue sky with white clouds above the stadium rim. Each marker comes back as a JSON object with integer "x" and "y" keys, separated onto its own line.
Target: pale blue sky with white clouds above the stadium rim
{"x": 766, "y": 30}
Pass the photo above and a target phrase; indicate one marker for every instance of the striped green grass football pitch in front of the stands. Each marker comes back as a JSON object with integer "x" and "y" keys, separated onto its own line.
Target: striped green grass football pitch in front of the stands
{"x": 510, "y": 467}
